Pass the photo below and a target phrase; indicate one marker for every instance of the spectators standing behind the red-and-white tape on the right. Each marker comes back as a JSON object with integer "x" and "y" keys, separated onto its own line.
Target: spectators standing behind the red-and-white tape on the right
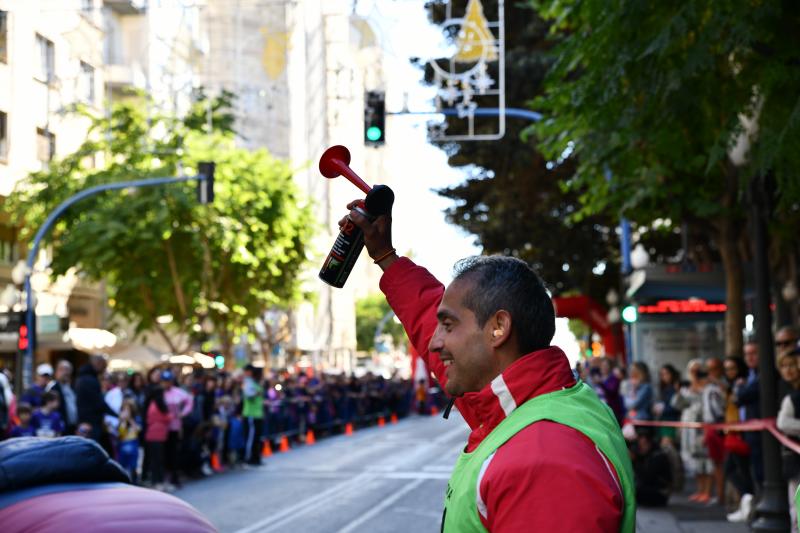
{"x": 711, "y": 390}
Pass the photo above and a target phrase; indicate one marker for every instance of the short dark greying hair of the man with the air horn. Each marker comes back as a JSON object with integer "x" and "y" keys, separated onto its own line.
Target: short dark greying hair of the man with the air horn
{"x": 501, "y": 282}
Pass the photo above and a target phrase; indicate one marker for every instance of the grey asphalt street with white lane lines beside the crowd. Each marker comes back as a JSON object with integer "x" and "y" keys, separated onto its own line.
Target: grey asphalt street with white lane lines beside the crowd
{"x": 380, "y": 479}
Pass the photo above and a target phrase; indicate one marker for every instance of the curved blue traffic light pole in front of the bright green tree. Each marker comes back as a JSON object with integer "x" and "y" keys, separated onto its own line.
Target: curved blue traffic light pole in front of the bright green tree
{"x": 33, "y": 252}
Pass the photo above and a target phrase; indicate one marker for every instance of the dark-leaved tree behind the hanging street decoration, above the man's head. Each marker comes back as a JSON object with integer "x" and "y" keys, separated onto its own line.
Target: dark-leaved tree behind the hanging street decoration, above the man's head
{"x": 512, "y": 199}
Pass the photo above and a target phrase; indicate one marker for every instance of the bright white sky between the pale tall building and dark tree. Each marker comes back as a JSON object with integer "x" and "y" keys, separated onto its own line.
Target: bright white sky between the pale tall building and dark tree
{"x": 418, "y": 168}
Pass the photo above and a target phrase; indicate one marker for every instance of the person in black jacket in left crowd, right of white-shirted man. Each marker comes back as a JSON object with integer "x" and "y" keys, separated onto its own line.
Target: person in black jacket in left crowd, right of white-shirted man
{"x": 91, "y": 404}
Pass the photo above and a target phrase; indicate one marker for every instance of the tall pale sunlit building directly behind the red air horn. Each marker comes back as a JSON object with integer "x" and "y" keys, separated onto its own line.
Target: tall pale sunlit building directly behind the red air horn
{"x": 300, "y": 70}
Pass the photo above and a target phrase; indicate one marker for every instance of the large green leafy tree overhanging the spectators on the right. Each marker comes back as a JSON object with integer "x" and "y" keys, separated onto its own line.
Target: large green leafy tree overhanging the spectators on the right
{"x": 659, "y": 93}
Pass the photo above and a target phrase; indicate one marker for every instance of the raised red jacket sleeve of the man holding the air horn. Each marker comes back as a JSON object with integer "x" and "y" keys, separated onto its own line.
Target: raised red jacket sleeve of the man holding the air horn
{"x": 414, "y": 295}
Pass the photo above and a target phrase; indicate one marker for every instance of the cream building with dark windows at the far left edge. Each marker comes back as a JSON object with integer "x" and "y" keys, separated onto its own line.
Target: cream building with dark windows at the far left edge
{"x": 51, "y": 57}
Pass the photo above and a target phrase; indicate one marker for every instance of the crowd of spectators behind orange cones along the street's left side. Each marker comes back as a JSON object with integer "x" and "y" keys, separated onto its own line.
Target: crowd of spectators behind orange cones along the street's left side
{"x": 176, "y": 422}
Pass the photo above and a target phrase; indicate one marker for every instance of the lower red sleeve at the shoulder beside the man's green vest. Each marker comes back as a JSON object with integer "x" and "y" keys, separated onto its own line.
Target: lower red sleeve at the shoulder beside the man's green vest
{"x": 550, "y": 477}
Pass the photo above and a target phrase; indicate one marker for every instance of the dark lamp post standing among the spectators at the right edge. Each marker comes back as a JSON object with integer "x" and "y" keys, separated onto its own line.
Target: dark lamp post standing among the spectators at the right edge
{"x": 772, "y": 512}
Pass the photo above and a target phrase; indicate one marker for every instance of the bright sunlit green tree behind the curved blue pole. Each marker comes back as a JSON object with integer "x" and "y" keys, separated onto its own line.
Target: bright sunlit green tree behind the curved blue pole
{"x": 158, "y": 250}
